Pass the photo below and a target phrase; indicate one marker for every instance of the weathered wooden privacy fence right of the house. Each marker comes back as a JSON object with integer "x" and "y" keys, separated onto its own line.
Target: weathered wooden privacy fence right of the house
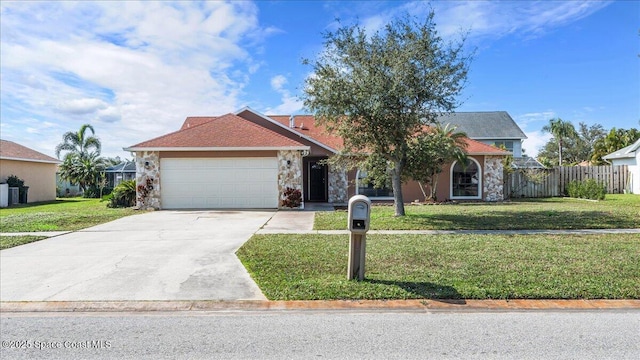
{"x": 534, "y": 183}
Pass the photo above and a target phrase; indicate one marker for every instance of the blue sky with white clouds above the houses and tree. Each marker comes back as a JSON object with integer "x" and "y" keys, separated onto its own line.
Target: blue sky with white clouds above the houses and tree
{"x": 135, "y": 70}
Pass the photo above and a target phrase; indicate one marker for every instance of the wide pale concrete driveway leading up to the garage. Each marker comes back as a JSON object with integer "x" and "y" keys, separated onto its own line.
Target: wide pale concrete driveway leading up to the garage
{"x": 163, "y": 255}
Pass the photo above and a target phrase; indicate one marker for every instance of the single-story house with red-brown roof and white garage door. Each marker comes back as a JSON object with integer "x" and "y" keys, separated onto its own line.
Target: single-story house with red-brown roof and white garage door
{"x": 249, "y": 160}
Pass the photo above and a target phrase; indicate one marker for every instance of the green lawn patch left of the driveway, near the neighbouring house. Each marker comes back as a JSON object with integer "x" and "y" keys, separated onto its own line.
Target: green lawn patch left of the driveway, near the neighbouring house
{"x": 60, "y": 215}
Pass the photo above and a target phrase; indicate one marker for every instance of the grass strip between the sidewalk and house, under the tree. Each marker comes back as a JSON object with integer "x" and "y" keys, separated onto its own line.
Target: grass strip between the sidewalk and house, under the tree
{"x": 617, "y": 211}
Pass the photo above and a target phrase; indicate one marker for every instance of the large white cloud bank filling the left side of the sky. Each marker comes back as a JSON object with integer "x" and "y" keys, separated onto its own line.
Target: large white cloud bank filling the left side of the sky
{"x": 133, "y": 69}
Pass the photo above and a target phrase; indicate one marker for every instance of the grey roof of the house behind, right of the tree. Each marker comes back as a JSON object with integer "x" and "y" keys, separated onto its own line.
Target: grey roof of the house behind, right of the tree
{"x": 484, "y": 125}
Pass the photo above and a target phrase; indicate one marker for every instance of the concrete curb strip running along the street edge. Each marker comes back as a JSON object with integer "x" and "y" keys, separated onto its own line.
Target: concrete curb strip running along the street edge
{"x": 426, "y": 305}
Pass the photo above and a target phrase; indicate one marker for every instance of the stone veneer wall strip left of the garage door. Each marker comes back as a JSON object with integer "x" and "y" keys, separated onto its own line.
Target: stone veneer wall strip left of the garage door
{"x": 148, "y": 168}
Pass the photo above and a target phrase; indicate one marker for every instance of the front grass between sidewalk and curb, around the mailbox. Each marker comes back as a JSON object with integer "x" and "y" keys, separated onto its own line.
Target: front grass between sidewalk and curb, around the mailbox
{"x": 314, "y": 267}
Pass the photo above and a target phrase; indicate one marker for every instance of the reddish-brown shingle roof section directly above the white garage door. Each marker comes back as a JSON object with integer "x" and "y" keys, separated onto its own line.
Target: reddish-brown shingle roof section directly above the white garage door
{"x": 227, "y": 131}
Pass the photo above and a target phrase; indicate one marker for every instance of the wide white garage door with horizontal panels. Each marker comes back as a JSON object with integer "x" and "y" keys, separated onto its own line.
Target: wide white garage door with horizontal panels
{"x": 210, "y": 183}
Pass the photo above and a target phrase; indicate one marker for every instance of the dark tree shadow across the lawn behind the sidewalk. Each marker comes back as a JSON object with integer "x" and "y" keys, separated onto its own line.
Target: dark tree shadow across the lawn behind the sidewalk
{"x": 528, "y": 220}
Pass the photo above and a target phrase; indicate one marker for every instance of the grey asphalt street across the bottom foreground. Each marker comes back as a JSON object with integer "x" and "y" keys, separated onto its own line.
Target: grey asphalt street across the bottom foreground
{"x": 603, "y": 334}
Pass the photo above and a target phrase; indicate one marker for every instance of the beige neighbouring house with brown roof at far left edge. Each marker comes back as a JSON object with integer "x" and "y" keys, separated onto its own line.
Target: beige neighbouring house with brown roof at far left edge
{"x": 36, "y": 169}
